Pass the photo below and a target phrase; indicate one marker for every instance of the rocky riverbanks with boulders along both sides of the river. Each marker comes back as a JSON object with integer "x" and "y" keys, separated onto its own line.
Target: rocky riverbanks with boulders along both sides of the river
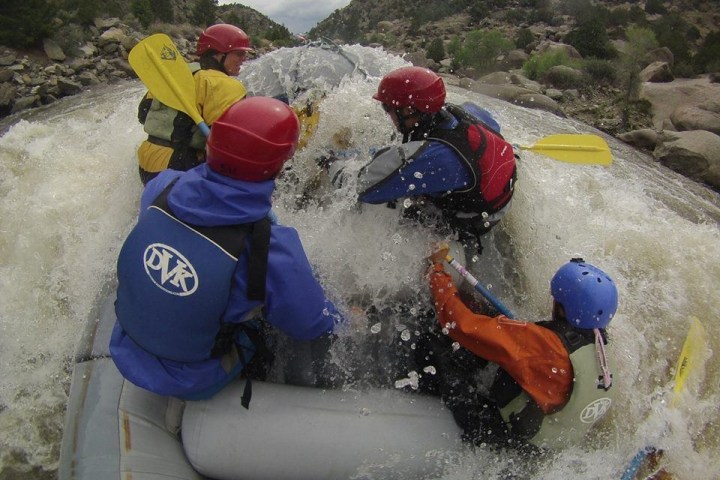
{"x": 682, "y": 132}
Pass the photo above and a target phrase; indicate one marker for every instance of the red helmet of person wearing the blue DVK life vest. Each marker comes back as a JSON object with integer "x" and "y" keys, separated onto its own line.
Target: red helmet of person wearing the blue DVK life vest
{"x": 252, "y": 139}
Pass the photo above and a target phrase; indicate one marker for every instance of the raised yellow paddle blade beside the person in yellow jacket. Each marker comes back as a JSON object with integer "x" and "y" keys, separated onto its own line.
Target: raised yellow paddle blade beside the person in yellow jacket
{"x": 161, "y": 67}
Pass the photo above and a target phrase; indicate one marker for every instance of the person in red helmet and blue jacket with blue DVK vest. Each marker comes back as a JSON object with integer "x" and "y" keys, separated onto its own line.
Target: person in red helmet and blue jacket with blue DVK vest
{"x": 204, "y": 263}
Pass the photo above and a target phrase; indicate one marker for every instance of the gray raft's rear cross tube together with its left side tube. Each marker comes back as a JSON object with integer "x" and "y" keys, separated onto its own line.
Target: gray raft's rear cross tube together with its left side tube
{"x": 115, "y": 430}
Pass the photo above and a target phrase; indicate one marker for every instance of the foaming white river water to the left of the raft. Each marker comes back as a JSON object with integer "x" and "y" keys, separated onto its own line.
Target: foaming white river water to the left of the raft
{"x": 70, "y": 189}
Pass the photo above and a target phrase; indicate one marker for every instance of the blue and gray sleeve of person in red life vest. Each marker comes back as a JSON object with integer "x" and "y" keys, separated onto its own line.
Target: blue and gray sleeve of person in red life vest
{"x": 411, "y": 170}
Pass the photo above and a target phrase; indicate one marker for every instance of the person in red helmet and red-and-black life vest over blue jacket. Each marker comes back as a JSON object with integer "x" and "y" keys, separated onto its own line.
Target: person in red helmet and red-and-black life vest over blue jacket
{"x": 453, "y": 163}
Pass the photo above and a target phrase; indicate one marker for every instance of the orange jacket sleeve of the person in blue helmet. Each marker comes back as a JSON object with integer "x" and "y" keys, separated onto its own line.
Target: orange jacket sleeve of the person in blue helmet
{"x": 533, "y": 355}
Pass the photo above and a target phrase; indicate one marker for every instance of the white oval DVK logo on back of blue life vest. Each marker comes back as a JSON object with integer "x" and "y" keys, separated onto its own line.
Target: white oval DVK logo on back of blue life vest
{"x": 170, "y": 270}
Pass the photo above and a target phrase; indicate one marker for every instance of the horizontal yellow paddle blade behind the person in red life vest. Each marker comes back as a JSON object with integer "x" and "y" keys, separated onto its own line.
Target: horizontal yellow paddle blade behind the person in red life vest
{"x": 582, "y": 149}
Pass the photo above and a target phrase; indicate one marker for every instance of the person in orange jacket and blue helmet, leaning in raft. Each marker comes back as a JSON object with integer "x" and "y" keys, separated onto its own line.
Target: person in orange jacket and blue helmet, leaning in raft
{"x": 553, "y": 382}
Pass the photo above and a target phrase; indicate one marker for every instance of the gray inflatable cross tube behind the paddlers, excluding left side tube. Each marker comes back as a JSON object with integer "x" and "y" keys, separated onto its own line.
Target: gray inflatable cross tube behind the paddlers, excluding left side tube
{"x": 298, "y": 433}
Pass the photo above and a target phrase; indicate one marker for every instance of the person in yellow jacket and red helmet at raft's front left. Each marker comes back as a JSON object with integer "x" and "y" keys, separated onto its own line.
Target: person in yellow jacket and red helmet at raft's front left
{"x": 173, "y": 139}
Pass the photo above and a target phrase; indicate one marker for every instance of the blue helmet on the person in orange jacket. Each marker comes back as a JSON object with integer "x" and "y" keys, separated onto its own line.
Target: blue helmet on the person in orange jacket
{"x": 588, "y": 295}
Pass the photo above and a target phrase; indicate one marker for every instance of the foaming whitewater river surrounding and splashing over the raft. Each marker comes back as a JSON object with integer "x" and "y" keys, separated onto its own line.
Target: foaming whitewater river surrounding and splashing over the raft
{"x": 69, "y": 191}
